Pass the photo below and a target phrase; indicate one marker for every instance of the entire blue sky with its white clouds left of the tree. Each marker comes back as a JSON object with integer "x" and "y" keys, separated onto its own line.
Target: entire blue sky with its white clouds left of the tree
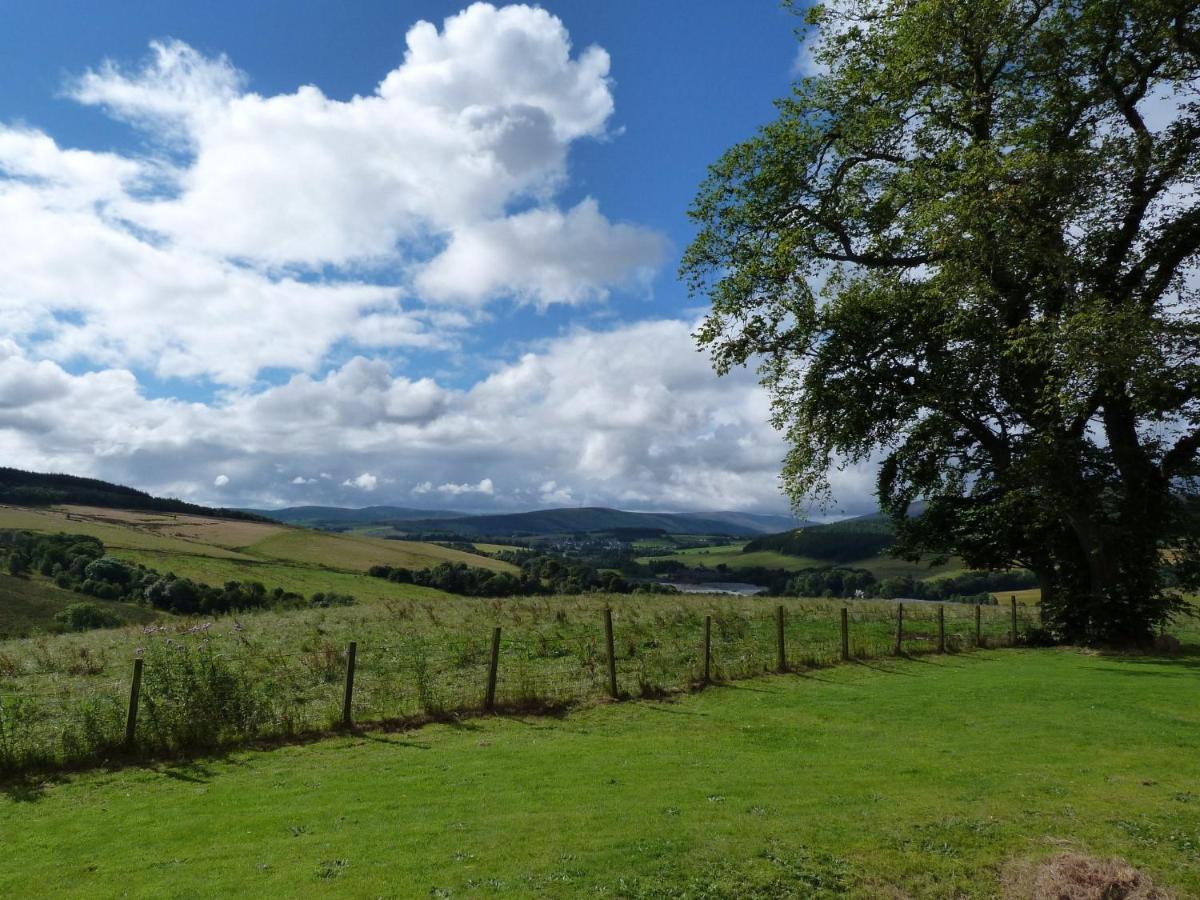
{"x": 457, "y": 291}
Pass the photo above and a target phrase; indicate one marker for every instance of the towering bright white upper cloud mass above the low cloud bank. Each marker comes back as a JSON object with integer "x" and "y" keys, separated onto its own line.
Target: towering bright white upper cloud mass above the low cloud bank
{"x": 311, "y": 220}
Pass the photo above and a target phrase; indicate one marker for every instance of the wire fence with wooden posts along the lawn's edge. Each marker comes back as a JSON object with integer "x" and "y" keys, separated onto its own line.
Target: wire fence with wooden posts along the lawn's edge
{"x": 190, "y": 695}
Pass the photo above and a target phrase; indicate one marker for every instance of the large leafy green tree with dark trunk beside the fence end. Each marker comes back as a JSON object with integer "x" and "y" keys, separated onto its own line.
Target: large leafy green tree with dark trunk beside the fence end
{"x": 967, "y": 250}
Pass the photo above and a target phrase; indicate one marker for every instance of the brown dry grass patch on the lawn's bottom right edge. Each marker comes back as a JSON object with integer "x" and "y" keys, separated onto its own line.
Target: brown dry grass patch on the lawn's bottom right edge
{"x": 1075, "y": 877}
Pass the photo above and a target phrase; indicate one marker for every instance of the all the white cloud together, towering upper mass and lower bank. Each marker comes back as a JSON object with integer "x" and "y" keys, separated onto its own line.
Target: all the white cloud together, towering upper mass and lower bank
{"x": 313, "y": 237}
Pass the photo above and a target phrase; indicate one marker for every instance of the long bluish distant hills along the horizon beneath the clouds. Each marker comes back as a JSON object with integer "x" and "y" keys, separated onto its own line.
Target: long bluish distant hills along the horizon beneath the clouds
{"x": 586, "y": 520}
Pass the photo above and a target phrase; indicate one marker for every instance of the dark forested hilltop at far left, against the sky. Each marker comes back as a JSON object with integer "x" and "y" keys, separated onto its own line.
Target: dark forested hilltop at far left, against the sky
{"x": 35, "y": 489}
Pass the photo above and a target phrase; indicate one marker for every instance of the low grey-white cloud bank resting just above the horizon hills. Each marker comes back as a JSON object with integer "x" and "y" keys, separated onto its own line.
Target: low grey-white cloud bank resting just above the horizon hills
{"x": 629, "y": 417}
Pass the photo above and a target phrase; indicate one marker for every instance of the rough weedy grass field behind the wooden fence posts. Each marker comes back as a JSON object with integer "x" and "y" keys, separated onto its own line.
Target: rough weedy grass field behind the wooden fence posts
{"x": 272, "y": 675}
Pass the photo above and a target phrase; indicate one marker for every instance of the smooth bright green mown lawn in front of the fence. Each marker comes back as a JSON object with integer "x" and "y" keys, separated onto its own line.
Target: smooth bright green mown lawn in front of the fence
{"x": 891, "y": 779}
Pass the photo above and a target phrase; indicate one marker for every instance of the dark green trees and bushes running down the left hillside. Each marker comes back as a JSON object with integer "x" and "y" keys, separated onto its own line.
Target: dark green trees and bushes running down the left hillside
{"x": 79, "y": 563}
